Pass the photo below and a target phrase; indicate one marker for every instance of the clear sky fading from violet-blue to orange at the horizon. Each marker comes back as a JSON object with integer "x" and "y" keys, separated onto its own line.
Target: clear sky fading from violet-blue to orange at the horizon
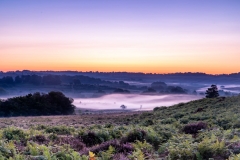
{"x": 150, "y": 36}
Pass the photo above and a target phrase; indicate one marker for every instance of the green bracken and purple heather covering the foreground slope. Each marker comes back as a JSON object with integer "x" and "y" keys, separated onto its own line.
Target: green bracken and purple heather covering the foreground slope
{"x": 197, "y": 130}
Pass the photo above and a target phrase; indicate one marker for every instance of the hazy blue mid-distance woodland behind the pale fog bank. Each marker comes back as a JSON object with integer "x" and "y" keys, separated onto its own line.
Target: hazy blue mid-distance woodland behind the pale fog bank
{"x": 80, "y": 83}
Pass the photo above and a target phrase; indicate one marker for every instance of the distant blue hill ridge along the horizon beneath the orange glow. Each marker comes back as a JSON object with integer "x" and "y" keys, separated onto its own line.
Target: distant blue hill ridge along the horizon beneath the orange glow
{"x": 170, "y": 77}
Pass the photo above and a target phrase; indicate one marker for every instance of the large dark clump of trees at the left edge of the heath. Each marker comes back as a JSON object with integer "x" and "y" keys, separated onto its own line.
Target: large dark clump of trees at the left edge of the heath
{"x": 53, "y": 103}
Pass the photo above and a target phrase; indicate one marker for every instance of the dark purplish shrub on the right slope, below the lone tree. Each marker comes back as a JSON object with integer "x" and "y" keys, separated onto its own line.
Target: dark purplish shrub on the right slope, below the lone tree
{"x": 193, "y": 128}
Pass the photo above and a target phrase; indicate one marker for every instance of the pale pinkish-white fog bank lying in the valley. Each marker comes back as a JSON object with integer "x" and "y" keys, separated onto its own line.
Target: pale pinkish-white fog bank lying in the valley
{"x": 133, "y": 101}
